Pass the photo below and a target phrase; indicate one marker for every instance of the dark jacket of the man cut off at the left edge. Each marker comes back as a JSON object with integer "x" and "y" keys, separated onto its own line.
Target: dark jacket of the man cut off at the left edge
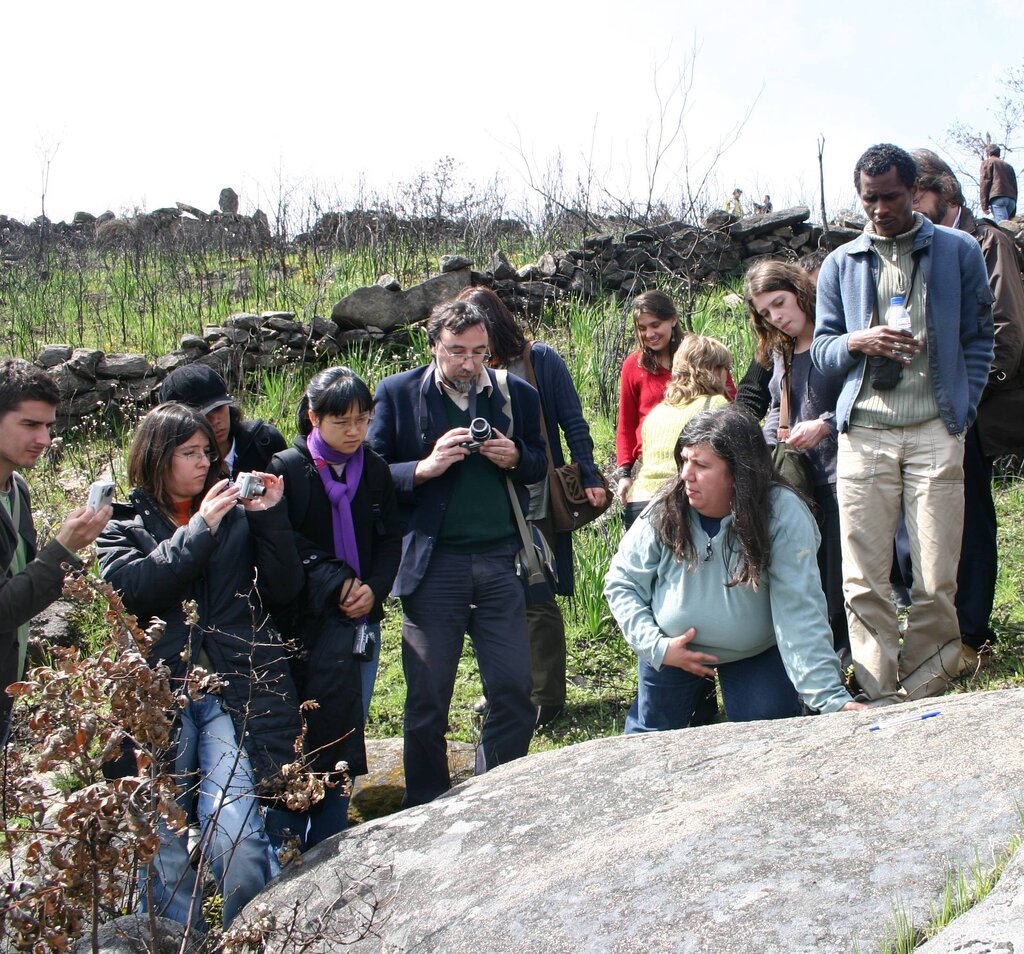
{"x": 28, "y": 593}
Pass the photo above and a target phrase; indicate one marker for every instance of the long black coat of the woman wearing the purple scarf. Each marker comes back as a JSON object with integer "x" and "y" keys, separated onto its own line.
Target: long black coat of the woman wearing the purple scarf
{"x": 326, "y": 671}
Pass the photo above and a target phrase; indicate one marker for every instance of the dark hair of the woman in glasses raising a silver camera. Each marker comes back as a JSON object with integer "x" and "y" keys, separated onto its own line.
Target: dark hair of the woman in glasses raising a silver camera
{"x": 159, "y": 435}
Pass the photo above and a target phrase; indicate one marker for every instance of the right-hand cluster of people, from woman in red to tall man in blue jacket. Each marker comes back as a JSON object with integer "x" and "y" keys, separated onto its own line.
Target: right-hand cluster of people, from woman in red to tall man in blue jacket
{"x": 898, "y": 425}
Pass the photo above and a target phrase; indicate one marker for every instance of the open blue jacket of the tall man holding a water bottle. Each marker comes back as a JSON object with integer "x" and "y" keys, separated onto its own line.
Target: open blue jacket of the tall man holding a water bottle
{"x": 958, "y": 316}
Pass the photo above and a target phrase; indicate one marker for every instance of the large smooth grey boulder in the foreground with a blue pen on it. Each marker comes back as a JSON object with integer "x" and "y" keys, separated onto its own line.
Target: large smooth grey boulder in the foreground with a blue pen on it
{"x": 786, "y": 837}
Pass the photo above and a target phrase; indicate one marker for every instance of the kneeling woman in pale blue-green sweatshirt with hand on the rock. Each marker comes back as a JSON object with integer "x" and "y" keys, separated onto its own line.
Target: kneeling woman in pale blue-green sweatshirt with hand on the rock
{"x": 718, "y": 577}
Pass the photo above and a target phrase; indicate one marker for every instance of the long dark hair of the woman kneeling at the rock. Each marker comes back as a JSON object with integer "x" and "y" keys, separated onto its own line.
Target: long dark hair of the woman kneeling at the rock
{"x": 735, "y": 437}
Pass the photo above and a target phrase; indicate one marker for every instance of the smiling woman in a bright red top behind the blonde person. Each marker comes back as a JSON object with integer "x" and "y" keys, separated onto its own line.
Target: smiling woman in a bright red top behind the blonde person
{"x": 646, "y": 375}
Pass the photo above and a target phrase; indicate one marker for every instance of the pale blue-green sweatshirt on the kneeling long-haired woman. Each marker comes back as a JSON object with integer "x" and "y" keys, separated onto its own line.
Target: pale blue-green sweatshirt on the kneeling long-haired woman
{"x": 655, "y": 598}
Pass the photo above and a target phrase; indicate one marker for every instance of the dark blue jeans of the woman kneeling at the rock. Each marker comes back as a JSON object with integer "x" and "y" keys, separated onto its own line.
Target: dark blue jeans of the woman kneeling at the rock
{"x": 753, "y": 689}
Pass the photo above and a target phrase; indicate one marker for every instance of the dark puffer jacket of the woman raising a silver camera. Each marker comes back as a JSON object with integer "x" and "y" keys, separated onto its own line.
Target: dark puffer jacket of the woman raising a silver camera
{"x": 156, "y": 567}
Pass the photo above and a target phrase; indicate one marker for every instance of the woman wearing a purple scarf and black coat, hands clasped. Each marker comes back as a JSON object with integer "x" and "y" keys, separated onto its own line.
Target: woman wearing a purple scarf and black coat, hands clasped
{"x": 343, "y": 508}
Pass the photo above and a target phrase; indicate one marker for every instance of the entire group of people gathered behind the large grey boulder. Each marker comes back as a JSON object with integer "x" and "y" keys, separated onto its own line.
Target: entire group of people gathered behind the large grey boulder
{"x": 271, "y": 565}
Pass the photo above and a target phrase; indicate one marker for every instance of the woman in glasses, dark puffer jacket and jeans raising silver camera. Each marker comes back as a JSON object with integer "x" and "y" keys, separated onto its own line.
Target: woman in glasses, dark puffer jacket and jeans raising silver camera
{"x": 186, "y": 537}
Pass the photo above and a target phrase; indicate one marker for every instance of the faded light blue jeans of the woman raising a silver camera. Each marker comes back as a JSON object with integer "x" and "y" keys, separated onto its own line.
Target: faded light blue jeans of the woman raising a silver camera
{"x": 234, "y": 842}
